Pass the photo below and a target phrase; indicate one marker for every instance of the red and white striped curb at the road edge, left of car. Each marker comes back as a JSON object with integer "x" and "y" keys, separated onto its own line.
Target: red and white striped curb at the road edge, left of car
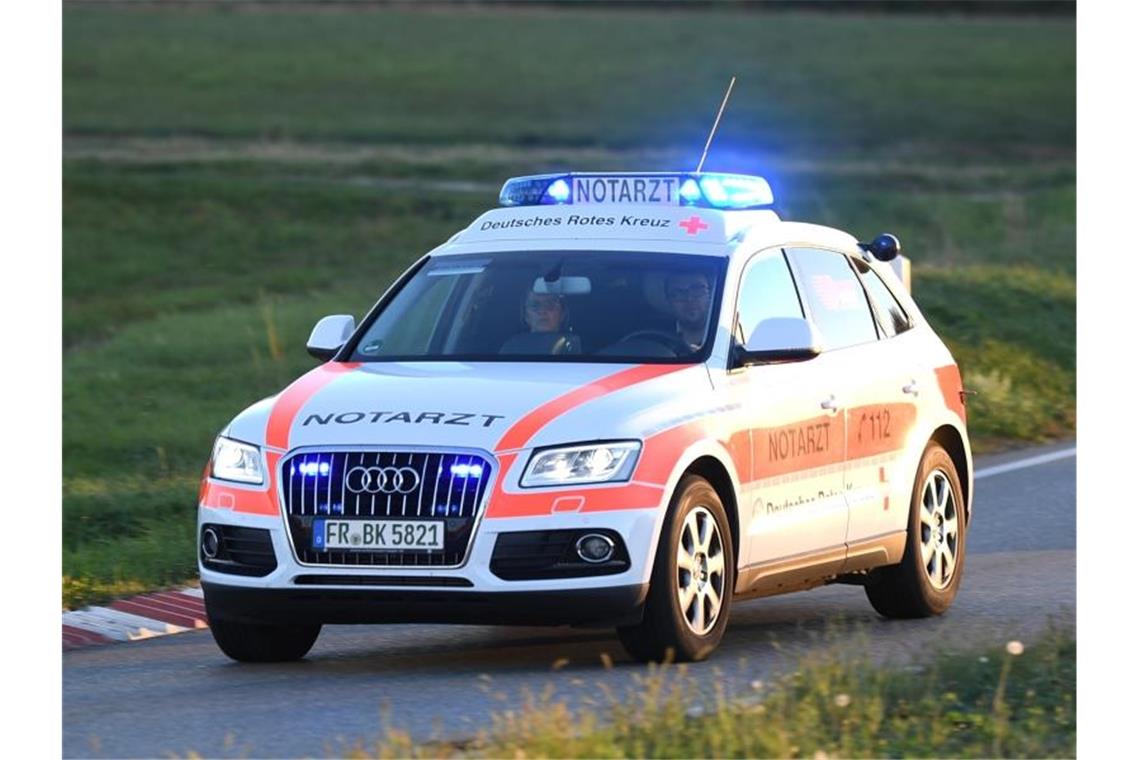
{"x": 142, "y": 617}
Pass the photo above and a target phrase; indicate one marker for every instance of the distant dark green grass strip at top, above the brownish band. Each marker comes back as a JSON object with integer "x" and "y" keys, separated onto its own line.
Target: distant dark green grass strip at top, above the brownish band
{"x": 581, "y": 77}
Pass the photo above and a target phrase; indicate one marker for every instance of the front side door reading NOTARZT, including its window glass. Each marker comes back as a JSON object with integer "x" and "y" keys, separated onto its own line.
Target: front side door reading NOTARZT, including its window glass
{"x": 797, "y": 430}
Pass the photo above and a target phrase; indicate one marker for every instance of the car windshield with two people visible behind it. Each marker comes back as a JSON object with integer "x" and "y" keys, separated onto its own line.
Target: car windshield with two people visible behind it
{"x": 550, "y": 306}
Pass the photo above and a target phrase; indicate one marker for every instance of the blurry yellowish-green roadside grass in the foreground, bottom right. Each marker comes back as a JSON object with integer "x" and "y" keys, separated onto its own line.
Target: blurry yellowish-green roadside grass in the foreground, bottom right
{"x": 980, "y": 705}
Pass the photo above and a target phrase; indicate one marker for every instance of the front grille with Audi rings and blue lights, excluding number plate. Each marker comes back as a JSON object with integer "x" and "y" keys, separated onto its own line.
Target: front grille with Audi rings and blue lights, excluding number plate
{"x": 400, "y": 485}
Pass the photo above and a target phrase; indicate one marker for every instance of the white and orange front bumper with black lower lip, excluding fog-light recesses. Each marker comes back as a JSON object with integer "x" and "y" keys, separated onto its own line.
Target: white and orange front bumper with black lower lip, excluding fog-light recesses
{"x": 470, "y": 593}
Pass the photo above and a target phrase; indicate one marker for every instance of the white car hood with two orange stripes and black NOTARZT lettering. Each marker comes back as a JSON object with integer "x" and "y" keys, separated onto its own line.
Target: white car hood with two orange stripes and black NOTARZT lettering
{"x": 491, "y": 406}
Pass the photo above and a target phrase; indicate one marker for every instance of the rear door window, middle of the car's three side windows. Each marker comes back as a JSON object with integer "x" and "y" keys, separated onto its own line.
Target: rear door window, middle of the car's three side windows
{"x": 835, "y": 299}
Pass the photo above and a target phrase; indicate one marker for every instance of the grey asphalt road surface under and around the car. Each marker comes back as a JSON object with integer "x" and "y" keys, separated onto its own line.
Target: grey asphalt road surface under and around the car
{"x": 180, "y": 694}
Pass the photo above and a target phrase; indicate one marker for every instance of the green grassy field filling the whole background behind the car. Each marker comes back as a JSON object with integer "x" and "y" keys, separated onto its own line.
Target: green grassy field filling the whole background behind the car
{"x": 233, "y": 175}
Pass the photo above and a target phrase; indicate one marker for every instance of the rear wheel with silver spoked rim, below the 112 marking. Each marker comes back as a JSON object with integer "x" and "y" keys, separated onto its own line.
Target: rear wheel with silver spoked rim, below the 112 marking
{"x": 925, "y": 583}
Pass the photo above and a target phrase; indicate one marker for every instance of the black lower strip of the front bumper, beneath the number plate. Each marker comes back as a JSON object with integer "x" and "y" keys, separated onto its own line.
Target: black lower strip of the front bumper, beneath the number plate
{"x": 614, "y": 606}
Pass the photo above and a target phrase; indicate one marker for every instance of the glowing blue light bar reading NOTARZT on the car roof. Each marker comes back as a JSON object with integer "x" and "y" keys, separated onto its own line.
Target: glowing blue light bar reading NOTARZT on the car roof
{"x": 706, "y": 190}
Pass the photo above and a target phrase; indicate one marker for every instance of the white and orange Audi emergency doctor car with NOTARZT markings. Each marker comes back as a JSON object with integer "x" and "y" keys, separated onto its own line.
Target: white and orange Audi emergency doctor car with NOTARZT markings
{"x": 621, "y": 401}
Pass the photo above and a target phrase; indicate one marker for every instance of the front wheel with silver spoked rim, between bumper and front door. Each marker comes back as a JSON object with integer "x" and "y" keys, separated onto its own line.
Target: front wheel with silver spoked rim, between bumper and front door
{"x": 667, "y": 632}
